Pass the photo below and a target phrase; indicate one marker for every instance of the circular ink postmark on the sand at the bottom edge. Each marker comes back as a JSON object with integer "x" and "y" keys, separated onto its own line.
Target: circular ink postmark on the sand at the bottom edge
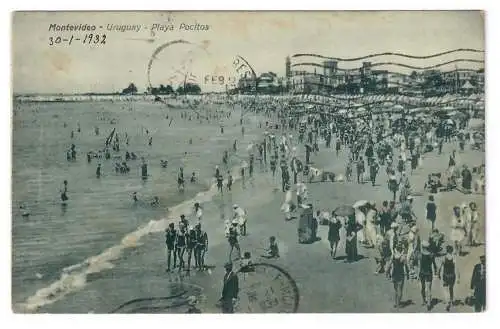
{"x": 266, "y": 288}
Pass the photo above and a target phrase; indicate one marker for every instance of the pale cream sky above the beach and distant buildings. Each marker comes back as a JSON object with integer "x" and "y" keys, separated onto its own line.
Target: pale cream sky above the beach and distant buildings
{"x": 263, "y": 39}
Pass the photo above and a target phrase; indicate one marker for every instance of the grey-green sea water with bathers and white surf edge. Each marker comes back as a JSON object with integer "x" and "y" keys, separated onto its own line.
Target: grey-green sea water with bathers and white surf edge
{"x": 56, "y": 247}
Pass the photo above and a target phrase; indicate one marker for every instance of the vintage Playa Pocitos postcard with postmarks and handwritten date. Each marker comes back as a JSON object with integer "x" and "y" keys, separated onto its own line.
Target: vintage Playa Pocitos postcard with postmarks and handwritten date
{"x": 248, "y": 162}
